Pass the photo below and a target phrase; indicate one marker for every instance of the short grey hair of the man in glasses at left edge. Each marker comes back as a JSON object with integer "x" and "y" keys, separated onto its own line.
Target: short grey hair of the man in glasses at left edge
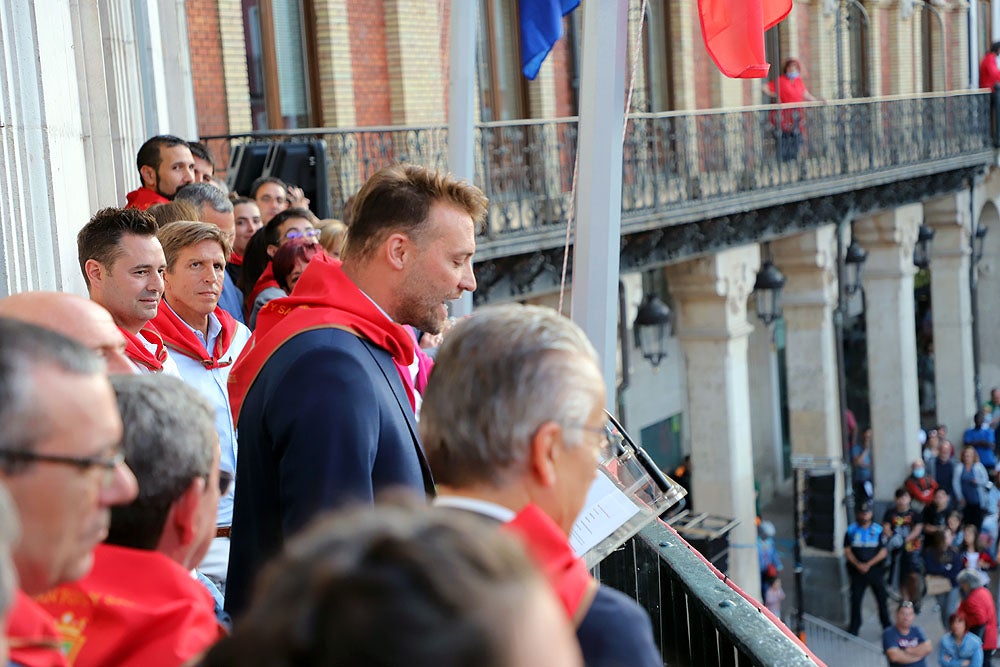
{"x": 24, "y": 348}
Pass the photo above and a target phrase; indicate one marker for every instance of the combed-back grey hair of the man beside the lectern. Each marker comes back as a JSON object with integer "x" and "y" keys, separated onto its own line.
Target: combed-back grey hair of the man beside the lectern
{"x": 499, "y": 376}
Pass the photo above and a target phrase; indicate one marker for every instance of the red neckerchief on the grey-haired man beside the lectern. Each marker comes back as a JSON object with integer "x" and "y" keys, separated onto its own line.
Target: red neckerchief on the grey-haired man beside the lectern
{"x": 550, "y": 550}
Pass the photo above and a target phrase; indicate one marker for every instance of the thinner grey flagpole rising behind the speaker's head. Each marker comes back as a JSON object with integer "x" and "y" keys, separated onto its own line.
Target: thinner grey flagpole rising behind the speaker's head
{"x": 461, "y": 105}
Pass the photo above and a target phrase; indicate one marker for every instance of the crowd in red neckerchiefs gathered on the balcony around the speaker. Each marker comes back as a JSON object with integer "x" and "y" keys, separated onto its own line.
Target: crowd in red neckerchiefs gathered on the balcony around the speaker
{"x": 173, "y": 469}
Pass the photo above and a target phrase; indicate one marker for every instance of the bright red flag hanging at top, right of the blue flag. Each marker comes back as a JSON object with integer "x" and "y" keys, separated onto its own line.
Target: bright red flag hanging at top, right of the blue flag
{"x": 734, "y": 33}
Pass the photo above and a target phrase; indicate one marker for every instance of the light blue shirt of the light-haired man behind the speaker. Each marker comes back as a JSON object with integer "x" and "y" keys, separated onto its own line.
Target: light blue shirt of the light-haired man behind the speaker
{"x": 212, "y": 383}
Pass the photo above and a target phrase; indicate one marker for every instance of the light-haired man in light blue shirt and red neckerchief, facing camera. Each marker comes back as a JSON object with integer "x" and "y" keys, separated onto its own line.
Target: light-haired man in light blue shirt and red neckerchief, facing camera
{"x": 205, "y": 341}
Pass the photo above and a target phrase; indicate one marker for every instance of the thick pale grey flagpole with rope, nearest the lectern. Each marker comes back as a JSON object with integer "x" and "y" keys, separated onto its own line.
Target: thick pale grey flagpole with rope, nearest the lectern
{"x": 599, "y": 186}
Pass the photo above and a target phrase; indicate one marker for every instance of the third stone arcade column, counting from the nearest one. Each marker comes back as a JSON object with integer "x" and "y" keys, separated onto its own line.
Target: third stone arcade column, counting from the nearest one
{"x": 889, "y": 238}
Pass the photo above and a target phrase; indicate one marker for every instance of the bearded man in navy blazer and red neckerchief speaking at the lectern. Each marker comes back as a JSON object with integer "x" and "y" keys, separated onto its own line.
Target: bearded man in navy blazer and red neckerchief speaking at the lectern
{"x": 324, "y": 395}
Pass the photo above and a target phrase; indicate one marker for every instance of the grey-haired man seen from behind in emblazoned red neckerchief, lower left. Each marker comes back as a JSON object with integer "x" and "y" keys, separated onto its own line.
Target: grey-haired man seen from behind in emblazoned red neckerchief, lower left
{"x": 139, "y": 604}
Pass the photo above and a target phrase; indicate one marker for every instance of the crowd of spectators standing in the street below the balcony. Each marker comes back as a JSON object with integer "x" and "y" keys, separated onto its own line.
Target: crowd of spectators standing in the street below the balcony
{"x": 937, "y": 543}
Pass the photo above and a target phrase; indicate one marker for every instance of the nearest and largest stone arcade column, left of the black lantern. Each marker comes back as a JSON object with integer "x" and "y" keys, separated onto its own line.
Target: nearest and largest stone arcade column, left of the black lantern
{"x": 711, "y": 295}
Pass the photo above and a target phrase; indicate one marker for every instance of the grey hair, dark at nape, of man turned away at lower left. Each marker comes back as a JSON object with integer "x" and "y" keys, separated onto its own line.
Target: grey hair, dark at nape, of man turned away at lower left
{"x": 169, "y": 441}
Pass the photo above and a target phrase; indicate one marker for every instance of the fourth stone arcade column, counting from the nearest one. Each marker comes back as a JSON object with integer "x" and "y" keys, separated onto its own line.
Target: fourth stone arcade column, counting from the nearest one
{"x": 954, "y": 380}
